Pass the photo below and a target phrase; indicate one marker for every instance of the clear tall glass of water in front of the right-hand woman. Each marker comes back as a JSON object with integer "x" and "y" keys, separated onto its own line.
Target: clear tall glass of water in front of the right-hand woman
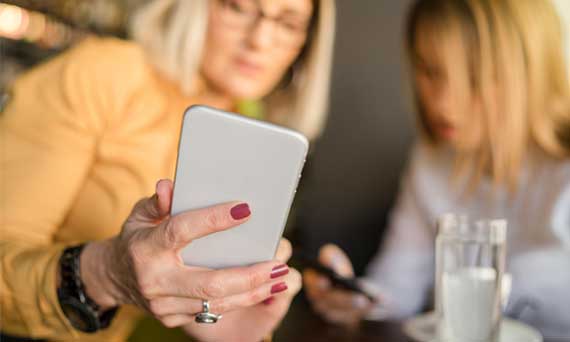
{"x": 470, "y": 264}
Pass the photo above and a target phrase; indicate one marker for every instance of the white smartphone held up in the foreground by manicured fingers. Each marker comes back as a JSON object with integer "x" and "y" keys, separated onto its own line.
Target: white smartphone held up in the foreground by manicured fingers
{"x": 225, "y": 157}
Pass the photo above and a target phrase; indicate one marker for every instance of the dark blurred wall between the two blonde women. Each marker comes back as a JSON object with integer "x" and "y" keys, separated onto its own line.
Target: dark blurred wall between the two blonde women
{"x": 352, "y": 177}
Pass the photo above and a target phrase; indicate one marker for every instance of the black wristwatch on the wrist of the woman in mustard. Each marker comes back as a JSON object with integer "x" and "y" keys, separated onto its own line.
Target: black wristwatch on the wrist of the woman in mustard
{"x": 82, "y": 312}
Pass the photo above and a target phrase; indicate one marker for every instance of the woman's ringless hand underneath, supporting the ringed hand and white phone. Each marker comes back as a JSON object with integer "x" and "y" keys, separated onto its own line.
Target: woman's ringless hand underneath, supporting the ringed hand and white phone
{"x": 252, "y": 323}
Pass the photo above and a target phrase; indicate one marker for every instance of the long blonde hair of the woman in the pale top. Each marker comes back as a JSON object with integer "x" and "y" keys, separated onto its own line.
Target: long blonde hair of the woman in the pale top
{"x": 513, "y": 63}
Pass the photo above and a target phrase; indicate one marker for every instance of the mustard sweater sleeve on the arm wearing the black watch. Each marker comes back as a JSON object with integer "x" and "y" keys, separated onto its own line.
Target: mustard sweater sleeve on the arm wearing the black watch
{"x": 49, "y": 132}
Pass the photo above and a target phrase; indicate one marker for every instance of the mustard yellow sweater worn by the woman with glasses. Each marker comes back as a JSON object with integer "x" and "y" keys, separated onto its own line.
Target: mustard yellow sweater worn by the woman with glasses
{"x": 84, "y": 136}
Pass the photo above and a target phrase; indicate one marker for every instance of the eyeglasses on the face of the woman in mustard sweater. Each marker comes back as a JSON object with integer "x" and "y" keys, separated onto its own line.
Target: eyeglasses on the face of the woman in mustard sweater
{"x": 245, "y": 14}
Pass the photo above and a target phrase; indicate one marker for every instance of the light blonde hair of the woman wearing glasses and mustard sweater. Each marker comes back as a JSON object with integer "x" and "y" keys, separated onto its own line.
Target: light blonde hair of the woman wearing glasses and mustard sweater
{"x": 172, "y": 32}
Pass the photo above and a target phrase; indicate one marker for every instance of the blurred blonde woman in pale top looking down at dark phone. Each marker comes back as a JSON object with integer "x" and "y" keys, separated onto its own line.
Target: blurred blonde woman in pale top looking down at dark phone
{"x": 494, "y": 112}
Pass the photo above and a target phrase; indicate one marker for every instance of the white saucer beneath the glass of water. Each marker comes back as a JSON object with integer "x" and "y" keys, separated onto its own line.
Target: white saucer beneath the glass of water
{"x": 422, "y": 328}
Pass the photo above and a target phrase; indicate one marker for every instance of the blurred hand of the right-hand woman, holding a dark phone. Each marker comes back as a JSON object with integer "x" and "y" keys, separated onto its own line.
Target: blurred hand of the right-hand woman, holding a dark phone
{"x": 335, "y": 305}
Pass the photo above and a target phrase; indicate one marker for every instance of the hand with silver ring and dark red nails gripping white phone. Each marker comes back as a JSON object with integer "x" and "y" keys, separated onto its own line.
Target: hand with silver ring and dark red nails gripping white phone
{"x": 142, "y": 265}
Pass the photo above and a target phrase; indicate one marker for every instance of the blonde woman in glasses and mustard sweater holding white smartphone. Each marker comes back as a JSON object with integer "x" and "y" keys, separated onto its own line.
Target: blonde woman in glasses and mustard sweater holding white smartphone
{"x": 87, "y": 134}
